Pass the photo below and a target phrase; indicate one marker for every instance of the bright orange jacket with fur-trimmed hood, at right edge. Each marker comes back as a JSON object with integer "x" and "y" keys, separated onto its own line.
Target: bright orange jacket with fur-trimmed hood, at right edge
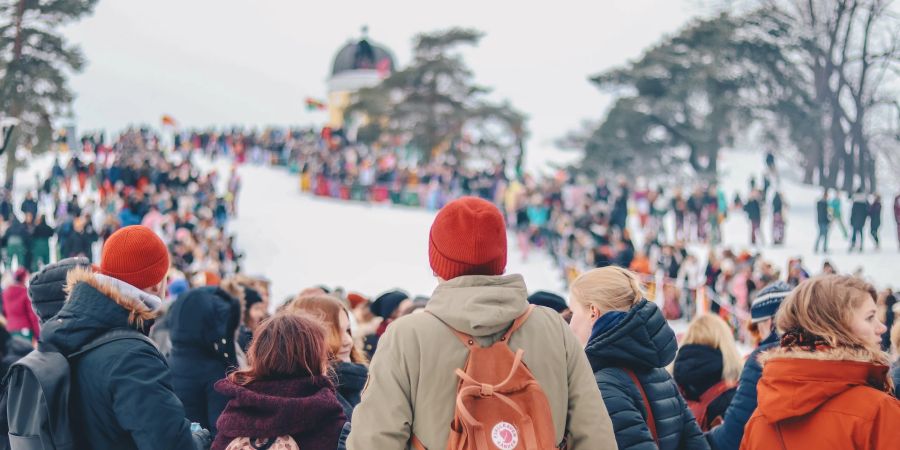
{"x": 831, "y": 399}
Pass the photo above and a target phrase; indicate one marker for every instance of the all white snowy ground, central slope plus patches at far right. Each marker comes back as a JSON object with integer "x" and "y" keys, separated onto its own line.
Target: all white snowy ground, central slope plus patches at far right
{"x": 297, "y": 240}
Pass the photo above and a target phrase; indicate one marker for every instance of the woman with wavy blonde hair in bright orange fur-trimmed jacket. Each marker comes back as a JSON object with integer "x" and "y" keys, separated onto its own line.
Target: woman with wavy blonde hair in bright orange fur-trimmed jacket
{"x": 827, "y": 385}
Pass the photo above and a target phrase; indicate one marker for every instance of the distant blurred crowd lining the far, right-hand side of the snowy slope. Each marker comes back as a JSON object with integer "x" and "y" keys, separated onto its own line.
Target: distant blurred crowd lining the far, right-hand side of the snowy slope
{"x": 657, "y": 231}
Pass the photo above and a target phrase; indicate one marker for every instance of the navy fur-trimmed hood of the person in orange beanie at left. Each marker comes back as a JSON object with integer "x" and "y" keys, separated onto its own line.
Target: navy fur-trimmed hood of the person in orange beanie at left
{"x": 95, "y": 305}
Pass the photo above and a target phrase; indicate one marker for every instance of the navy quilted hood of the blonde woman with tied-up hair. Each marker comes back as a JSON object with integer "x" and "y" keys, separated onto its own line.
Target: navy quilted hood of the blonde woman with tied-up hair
{"x": 642, "y": 340}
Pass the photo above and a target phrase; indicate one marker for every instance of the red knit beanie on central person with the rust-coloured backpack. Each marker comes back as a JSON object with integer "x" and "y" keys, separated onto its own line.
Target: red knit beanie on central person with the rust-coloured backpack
{"x": 468, "y": 237}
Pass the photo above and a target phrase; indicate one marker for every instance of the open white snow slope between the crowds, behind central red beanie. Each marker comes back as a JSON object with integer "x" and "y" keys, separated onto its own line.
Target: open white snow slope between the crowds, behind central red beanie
{"x": 298, "y": 240}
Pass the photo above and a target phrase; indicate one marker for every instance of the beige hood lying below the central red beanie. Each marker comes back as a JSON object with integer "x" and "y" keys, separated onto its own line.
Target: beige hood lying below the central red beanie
{"x": 480, "y": 305}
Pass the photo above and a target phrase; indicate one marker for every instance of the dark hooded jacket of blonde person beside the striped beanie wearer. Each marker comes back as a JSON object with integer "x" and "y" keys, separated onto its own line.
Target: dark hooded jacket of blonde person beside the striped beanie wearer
{"x": 697, "y": 369}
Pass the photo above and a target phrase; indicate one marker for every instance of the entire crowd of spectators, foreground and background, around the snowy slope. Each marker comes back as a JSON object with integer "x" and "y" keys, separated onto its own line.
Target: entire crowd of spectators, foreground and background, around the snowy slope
{"x": 168, "y": 344}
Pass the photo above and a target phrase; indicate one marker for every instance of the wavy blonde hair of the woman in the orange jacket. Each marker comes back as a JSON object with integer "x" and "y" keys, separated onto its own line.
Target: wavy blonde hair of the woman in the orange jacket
{"x": 823, "y": 306}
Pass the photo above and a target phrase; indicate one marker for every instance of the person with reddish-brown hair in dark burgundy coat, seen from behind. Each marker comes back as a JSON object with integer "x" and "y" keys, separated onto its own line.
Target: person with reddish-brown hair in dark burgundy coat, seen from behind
{"x": 285, "y": 393}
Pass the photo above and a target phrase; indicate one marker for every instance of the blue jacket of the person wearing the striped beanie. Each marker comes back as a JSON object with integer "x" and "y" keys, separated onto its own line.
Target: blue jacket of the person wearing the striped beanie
{"x": 728, "y": 435}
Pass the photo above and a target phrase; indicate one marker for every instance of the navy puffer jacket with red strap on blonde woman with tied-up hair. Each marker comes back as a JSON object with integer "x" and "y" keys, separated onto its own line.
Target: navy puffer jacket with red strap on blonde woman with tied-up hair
{"x": 644, "y": 343}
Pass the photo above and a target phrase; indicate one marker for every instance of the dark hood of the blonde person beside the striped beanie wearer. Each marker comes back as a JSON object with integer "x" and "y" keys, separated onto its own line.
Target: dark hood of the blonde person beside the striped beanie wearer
{"x": 697, "y": 368}
